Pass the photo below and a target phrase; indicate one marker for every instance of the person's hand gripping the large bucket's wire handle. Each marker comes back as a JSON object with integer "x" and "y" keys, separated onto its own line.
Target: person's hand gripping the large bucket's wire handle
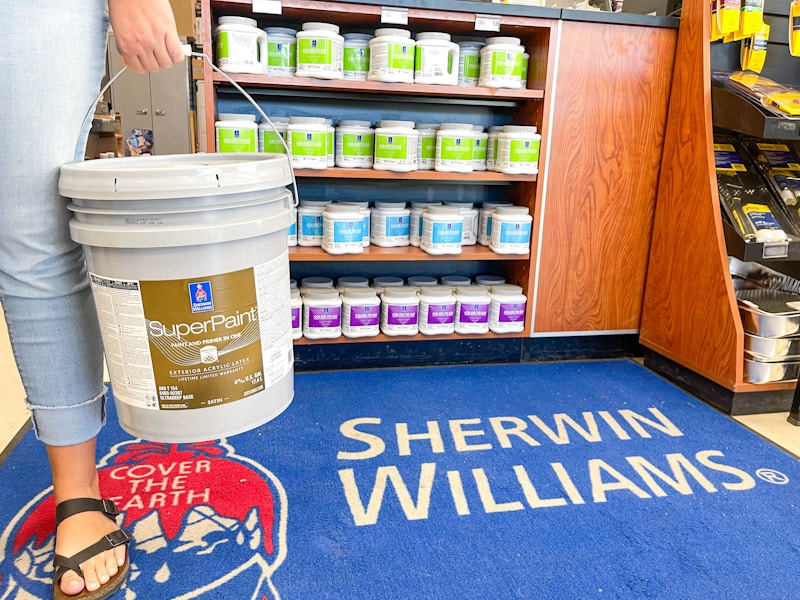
{"x": 145, "y": 34}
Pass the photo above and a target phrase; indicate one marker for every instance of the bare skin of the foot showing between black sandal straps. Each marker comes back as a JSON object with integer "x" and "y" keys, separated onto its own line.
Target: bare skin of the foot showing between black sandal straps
{"x": 78, "y": 532}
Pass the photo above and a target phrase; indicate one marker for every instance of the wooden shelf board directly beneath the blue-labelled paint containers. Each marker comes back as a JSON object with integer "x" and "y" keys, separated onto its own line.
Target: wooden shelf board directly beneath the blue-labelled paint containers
{"x": 401, "y": 253}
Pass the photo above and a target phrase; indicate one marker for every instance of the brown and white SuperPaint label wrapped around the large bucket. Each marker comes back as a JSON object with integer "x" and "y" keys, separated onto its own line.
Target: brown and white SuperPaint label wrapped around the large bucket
{"x": 195, "y": 343}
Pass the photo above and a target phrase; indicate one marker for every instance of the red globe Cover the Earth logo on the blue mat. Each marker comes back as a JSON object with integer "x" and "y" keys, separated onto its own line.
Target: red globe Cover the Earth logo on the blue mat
{"x": 207, "y": 524}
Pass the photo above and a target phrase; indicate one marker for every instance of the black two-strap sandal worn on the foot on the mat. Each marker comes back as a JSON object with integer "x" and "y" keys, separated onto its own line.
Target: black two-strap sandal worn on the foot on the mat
{"x": 62, "y": 564}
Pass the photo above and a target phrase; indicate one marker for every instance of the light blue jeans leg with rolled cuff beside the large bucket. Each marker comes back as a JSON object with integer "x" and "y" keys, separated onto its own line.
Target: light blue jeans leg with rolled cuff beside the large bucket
{"x": 51, "y": 66}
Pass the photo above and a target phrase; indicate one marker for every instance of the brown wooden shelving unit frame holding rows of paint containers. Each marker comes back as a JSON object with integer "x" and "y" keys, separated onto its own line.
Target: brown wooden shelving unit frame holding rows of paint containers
{"x": 524, "y": 106}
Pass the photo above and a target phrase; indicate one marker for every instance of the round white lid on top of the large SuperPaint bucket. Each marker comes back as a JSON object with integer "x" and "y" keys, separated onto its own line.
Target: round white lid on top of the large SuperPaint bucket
{"x": 173, "y": 176}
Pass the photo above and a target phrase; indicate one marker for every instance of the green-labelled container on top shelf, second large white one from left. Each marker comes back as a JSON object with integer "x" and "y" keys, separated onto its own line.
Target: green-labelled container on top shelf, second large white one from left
{"x": 320, "y": 51}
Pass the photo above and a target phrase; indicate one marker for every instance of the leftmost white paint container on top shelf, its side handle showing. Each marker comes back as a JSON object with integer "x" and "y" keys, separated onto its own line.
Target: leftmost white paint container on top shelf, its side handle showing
{"x": 241, "y": 47}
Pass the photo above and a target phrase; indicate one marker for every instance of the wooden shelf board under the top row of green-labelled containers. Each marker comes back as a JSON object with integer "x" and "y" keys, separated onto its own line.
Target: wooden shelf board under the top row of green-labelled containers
{"x": 377, "y": 87}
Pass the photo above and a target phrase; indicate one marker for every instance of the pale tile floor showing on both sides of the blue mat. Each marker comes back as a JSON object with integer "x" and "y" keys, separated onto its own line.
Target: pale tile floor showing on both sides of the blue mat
{"x": 771, "y": 426}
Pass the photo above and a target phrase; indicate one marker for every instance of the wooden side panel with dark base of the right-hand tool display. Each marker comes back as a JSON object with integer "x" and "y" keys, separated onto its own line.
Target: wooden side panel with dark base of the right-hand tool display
{"x": 690, "y": 320}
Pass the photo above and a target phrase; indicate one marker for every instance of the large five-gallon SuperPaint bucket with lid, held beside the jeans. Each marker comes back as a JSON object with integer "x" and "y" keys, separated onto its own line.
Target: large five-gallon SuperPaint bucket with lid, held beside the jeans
{"x": 189, "y": 265}
